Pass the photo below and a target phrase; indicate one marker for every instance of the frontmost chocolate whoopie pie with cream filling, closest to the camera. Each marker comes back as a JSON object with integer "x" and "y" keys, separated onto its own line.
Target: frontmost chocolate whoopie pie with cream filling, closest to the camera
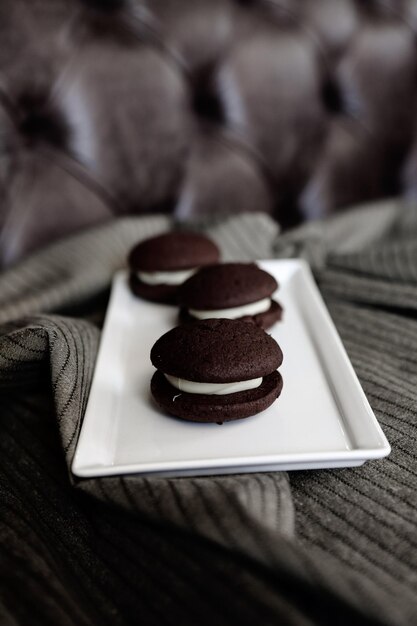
{"x": 216, "y": 370}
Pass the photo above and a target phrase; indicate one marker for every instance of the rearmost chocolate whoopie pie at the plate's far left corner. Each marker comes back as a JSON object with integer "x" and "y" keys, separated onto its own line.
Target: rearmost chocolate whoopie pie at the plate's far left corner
{"x": 160, "y": 264}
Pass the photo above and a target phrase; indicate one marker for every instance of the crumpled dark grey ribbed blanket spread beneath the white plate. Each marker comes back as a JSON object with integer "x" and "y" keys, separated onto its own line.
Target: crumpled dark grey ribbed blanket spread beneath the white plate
{"x": 314, "y": 547}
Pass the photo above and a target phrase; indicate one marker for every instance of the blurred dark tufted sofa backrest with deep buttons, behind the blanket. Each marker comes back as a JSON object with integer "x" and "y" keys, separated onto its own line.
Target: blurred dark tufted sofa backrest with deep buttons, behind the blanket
{"x": 111, "y": 107}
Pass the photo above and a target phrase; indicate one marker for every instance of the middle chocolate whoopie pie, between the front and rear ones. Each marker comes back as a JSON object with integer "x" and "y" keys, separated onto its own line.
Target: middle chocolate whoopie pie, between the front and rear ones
{"x": 230, "y": 290}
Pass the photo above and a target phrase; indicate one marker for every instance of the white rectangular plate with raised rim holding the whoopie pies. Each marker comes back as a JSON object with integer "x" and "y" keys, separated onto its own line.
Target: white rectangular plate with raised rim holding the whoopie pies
{"x": 322, "y": 418}
